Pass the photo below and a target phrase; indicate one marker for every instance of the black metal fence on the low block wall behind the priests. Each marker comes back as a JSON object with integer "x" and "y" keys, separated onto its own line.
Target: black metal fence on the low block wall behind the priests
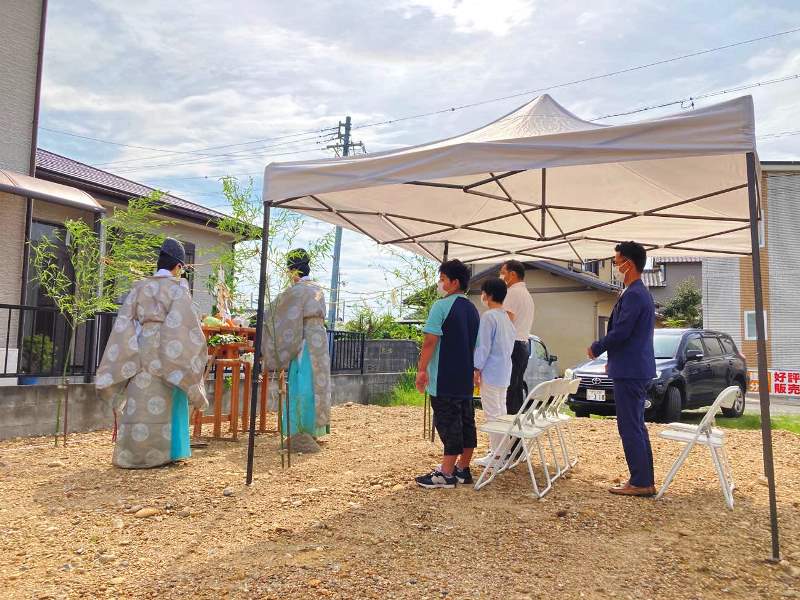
{"x": 34, "y": 341}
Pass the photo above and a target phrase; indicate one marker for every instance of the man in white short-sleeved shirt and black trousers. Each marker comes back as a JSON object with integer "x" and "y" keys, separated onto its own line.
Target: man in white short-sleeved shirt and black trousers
{"x": 519, "y": 306}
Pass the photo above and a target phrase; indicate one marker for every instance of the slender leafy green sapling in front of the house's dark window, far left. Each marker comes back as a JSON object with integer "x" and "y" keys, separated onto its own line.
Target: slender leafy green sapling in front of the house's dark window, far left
{"x": 77, "y": 298}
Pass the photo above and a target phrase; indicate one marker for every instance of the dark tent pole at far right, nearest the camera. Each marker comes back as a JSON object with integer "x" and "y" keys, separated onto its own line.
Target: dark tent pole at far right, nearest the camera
{"x": 763, "y": 378}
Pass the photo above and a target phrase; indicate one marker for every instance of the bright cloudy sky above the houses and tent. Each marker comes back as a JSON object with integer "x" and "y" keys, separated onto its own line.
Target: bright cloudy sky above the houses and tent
{"x": 228, "y": 87}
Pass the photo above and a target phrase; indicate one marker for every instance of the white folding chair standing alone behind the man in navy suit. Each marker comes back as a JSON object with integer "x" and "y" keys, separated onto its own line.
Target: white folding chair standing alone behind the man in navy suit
{"x": 705, "y": 434}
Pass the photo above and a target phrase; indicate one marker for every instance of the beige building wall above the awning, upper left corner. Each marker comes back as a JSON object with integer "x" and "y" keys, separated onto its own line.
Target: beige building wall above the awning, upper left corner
{"x": 19, "y": 51}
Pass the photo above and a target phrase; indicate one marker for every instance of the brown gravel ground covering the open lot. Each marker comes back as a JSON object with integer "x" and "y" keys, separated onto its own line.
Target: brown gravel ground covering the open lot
{"x": 348, "y": 523}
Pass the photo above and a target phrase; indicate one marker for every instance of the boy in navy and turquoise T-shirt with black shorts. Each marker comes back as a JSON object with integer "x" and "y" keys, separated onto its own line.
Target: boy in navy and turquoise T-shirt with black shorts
{"x": 445, "y": 372}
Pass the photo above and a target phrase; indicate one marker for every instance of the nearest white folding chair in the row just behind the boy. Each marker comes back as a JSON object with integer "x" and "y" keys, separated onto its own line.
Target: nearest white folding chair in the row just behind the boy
{"x": 520, "y": 429}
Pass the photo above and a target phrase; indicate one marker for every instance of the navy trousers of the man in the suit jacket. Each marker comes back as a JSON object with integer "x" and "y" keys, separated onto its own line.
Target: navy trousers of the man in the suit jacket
{"x": 629, "y": 397}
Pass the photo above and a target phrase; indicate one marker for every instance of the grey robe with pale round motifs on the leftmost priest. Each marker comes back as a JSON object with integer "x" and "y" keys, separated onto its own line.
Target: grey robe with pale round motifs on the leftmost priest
{"x": 156, "y": 345}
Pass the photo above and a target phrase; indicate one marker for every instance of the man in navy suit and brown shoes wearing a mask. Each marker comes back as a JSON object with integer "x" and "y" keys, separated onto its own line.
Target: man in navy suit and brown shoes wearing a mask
{"x": 631, "y": 365}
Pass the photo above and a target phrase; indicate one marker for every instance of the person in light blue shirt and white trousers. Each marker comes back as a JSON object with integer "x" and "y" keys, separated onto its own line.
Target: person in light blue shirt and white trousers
{"x": 492, "y": 359}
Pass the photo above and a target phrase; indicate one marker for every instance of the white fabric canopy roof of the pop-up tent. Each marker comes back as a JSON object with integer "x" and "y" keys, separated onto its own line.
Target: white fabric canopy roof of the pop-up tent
{"x": 541, "y": 183}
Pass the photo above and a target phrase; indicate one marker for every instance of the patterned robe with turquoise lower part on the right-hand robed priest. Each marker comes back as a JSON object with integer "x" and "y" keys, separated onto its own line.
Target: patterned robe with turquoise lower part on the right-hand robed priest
{"x": 295, "y": 335}
